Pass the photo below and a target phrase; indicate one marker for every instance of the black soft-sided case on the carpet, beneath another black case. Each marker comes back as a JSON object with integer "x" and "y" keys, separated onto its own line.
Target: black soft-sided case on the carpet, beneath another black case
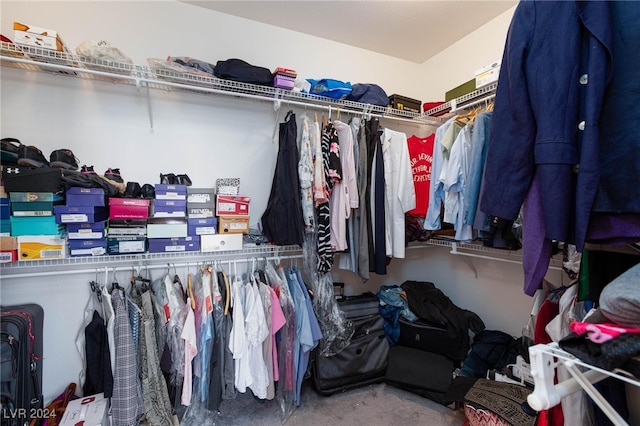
{"x": 424, "y": 373}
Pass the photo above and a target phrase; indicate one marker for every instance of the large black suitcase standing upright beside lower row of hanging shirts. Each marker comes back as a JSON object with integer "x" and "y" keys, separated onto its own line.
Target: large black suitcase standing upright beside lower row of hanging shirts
{"x": 364, "y": 360}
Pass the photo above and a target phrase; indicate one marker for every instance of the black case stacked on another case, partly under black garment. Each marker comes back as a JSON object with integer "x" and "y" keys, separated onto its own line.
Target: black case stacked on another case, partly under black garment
{"x": 431, "y": 338}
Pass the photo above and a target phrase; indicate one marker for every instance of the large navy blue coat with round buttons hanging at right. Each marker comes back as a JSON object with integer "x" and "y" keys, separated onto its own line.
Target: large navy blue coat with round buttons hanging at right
{"x": 555, "y": 68}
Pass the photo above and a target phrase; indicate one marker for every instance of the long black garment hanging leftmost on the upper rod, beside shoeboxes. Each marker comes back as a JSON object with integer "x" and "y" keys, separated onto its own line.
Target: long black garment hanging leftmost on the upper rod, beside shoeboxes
{"x": 282, "y": 220}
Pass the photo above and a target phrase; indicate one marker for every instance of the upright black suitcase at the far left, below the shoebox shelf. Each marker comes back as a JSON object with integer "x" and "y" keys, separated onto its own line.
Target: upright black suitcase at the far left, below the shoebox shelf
{"x": 21, "y": 344}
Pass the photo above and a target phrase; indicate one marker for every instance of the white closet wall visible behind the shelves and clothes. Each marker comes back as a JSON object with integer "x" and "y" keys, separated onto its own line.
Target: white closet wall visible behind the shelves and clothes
{"x": 108, "y": 125}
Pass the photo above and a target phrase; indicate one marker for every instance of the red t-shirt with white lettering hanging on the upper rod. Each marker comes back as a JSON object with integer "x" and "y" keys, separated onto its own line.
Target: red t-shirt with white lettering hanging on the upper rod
{"x": 421, "y": 157}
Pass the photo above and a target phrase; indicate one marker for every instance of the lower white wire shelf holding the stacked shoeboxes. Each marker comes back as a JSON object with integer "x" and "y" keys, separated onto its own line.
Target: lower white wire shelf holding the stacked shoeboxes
{"x": 83, "y": 264}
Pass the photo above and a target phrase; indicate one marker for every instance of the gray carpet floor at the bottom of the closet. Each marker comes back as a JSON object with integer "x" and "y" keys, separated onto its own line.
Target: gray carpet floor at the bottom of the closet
{"x": 373, "y": 405}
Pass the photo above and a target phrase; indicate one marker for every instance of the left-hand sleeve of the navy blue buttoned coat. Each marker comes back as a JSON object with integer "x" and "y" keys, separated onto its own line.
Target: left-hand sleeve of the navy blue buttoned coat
{"x": 510, "y": 161}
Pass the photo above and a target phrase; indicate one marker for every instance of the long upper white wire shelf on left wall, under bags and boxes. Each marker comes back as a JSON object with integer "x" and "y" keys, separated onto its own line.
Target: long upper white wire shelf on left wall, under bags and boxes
{"x": 46, "y": 60}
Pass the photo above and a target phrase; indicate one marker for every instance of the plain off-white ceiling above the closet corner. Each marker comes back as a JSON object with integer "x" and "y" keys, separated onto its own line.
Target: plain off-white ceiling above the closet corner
{"x": 411, "y": 30}
